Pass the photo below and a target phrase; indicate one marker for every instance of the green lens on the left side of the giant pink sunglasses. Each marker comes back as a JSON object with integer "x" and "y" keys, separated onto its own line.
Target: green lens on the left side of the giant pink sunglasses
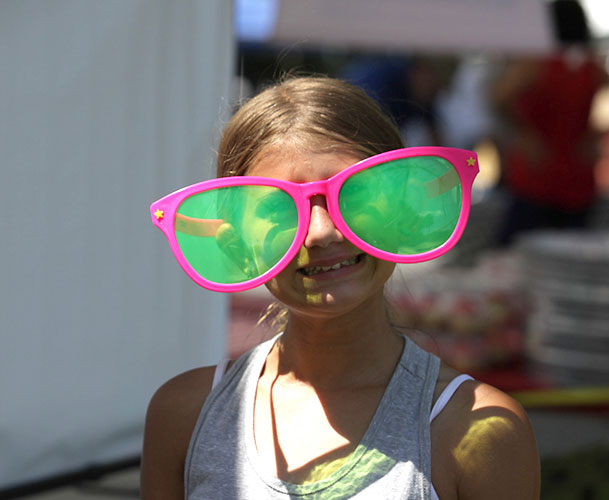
{"x": 234, "y": 234}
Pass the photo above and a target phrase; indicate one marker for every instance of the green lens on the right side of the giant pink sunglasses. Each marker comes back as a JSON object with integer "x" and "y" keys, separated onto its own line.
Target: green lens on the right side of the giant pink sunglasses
{"x": 406, "y": 206}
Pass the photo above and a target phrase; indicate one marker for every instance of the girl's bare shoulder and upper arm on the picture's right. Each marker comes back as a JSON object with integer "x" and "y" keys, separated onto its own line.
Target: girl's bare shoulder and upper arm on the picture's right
{"x": 485, "y": 443}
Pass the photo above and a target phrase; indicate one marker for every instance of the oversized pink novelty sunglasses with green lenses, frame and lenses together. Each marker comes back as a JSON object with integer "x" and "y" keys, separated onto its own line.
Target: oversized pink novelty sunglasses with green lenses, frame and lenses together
{"x": 234, "y": 233}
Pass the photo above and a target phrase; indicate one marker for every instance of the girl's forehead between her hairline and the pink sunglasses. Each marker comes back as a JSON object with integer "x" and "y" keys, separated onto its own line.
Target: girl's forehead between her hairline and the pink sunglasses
{"x": 299, "y": 166}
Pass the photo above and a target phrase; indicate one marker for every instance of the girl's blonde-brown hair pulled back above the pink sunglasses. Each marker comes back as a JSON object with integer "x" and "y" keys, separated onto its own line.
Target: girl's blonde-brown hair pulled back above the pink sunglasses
{"x": 316, "y": 113}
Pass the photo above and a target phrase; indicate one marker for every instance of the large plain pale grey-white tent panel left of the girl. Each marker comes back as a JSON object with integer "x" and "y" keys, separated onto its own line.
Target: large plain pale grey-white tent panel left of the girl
{"x": 106, "y": 106}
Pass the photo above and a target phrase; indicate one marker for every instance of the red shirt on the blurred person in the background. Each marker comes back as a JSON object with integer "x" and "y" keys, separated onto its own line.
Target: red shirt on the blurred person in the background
{"x": 556, "y": 108}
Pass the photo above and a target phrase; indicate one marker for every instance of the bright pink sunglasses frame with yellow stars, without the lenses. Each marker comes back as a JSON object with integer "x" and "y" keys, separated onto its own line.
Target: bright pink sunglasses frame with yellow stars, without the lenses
{"x": 164, "y": 210}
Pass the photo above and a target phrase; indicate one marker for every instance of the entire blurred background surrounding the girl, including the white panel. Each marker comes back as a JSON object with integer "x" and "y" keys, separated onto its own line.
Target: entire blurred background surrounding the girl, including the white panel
{"x": 107, "y": 106}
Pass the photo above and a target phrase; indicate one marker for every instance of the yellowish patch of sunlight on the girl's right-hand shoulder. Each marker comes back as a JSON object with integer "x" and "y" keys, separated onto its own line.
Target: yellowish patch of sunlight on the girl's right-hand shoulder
{"x": 480, "y": 439}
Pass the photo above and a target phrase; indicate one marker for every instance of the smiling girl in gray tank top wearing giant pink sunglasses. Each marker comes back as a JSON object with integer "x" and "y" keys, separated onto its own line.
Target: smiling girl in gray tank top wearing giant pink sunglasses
{"x": 339, "y": 404}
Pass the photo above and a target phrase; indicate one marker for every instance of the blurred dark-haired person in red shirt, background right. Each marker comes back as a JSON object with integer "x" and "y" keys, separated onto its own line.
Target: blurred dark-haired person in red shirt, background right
{"x": 550, "y": 150}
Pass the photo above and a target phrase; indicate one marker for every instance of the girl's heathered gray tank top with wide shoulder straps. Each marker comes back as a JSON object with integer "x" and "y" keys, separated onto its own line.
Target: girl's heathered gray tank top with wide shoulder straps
{"x": 392, "y": 461}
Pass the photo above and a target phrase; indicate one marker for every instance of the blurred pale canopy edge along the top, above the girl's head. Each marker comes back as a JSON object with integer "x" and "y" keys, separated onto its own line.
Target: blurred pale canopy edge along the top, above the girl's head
{"x": 446, "y": 25}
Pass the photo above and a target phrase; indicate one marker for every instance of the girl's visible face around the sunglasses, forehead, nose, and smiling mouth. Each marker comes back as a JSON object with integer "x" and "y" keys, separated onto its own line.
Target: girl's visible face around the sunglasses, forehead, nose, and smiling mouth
{"x": 329, "y": 275}
